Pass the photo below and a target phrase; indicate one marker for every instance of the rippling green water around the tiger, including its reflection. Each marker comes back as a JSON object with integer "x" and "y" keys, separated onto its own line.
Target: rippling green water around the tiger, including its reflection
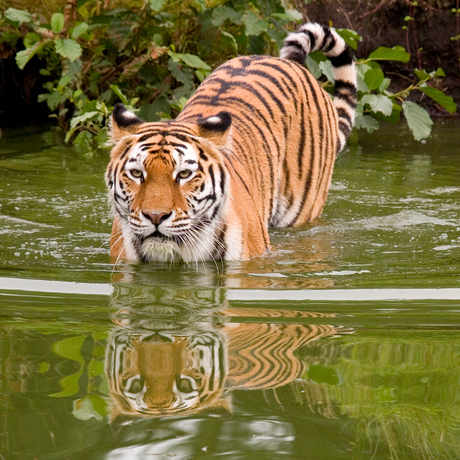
{"x": 341, "y": 344}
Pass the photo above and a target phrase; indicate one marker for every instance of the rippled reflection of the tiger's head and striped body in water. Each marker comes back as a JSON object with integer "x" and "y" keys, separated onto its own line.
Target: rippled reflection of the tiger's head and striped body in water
{"x": 159, "y": 366}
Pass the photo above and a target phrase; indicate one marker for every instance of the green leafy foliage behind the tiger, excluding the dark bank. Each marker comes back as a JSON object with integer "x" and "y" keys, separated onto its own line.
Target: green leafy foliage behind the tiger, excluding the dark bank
{"x": 152, "y": 56}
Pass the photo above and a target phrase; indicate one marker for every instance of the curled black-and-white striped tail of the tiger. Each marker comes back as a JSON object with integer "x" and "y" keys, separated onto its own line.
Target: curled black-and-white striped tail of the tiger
{"x": 313, "y": 37}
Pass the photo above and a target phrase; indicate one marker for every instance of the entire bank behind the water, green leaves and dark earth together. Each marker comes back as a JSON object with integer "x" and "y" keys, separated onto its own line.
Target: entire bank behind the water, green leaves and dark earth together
{"x": 74, "y": 59}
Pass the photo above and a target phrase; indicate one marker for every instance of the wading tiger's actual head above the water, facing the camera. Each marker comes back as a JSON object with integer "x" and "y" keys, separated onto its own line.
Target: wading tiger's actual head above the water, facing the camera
{"x": 168, "y": 186}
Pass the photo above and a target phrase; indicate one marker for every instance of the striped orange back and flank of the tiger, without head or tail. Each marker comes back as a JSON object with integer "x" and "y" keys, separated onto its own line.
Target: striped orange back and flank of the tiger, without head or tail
{"x": 283, "y": 138}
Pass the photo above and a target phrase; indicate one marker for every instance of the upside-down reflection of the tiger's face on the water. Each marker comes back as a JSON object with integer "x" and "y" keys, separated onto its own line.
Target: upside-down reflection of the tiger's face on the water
{"x": 162, "y": 373}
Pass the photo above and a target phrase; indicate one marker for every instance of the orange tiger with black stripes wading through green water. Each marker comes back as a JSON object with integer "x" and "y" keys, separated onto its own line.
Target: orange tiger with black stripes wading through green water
{"x": 253, "y": 148}
